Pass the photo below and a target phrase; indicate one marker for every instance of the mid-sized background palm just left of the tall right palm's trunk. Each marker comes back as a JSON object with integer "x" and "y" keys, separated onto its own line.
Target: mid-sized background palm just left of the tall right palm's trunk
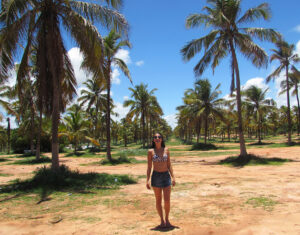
{"x": 204, "y": 101}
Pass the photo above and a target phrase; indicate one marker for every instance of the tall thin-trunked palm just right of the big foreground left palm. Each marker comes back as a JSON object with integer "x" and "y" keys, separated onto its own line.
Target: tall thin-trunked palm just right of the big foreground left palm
{"x": 103, "y": 70}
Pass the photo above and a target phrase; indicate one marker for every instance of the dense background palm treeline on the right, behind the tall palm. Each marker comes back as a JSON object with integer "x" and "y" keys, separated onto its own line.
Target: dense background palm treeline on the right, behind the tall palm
{"x": 206, "y": 115}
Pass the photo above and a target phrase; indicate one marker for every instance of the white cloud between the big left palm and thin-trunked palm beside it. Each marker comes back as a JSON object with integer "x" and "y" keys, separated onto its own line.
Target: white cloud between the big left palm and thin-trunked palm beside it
{"x": 76, "y": 58}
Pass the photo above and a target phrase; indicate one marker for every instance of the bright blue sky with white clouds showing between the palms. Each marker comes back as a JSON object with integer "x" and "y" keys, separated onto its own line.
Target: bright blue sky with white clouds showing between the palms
{"x": 157, "y": 33}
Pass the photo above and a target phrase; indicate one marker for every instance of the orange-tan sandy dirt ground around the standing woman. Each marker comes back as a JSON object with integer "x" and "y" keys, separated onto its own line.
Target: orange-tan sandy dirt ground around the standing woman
{"x": 208, "y": 199}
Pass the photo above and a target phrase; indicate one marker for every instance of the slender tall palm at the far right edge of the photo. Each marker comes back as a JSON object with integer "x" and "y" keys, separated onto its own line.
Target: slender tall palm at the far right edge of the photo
{"x": 286, "y": 57}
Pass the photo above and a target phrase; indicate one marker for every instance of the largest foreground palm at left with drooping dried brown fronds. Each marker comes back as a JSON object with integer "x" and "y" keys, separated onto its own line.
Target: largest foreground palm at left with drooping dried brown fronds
{"x": 40, "y": 23}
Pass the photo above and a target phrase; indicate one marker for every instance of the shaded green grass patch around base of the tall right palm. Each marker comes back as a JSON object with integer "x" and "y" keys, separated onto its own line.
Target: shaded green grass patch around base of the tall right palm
{"x": 253, "y": 161}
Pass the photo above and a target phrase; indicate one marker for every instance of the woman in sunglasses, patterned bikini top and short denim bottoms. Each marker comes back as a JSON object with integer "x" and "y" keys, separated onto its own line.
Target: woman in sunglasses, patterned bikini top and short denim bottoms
{"x": 159, "y": 155}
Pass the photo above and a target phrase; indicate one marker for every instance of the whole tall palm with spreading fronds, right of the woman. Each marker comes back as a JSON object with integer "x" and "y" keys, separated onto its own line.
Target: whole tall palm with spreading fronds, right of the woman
{"x": 228, "y": 34}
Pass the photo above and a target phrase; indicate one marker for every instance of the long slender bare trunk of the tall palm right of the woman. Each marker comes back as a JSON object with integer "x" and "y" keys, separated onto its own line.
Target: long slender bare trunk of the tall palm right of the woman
{"x": 243, "y": 151}
